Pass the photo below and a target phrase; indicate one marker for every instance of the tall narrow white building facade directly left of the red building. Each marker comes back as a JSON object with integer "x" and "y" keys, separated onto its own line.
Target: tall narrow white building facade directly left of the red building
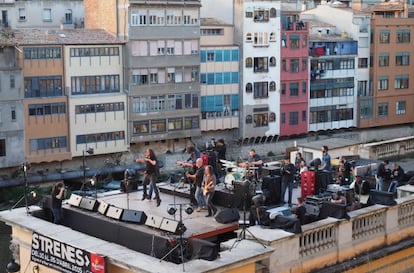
{"x": 257, "y": 29}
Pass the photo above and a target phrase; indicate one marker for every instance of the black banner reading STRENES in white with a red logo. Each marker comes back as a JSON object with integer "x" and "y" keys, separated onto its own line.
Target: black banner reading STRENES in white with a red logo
{"x": 63, "y": 257}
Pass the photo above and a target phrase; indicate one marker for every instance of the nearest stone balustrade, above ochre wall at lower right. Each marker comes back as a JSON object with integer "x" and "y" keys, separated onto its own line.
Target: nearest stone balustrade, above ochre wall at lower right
{"x": 331, "y": 241}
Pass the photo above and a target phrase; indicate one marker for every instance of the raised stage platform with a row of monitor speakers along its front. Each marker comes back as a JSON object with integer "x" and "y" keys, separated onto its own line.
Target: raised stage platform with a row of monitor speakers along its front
{"x": 125, "y": 219}
